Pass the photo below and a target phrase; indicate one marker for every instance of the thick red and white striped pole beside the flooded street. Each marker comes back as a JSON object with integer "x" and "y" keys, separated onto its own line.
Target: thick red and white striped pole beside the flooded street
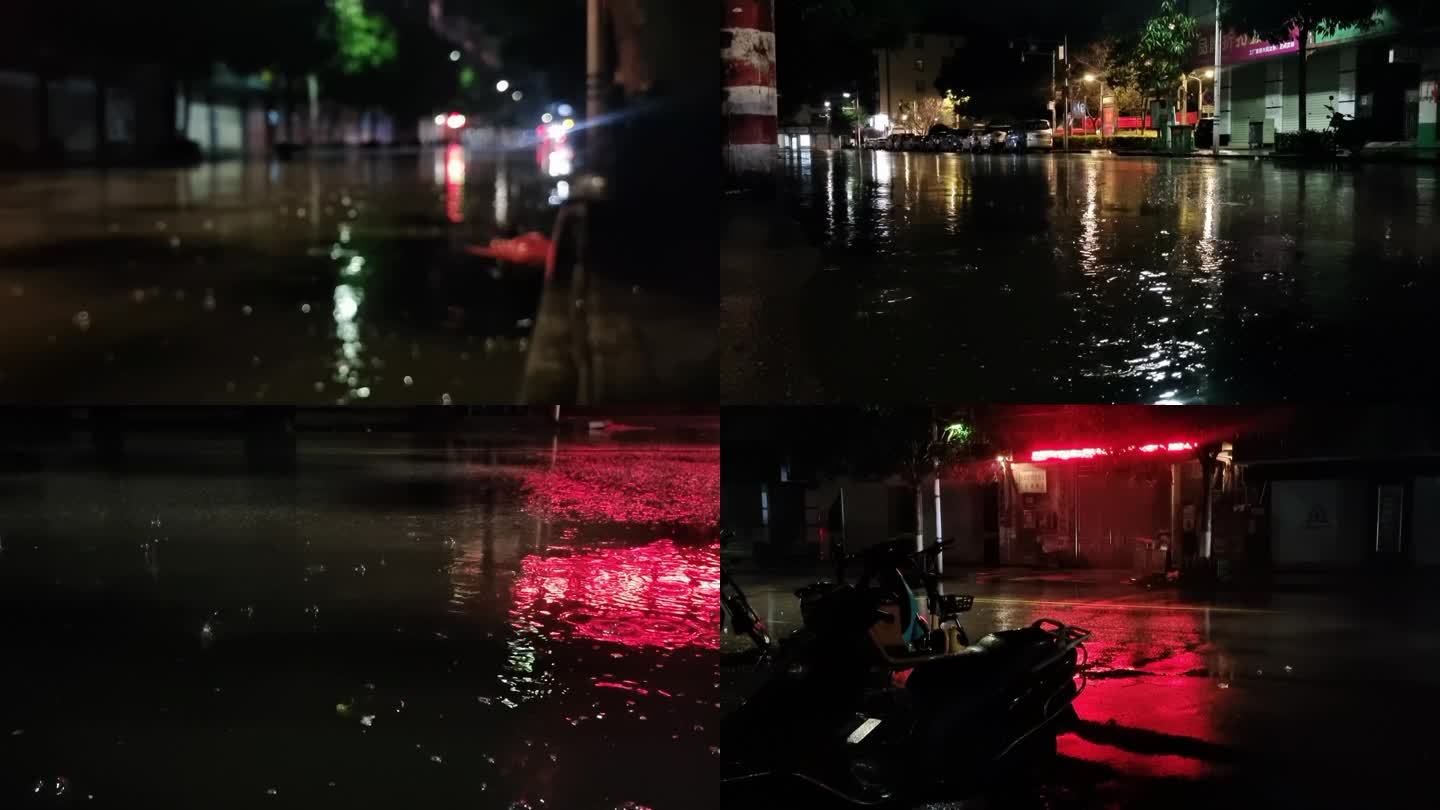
{"x": 750, "y": 109}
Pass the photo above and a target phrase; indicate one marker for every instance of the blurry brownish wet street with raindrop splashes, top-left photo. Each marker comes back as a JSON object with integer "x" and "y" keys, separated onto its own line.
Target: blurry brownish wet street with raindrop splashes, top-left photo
{"x": 328, "y": 282}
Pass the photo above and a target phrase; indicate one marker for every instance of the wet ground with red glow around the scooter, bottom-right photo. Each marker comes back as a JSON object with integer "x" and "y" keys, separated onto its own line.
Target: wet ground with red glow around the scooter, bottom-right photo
{"x": 1279, "y": 701}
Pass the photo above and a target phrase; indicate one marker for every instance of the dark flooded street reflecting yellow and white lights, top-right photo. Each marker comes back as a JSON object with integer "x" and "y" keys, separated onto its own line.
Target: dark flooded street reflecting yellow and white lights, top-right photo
{"x": 1084, "y": 277}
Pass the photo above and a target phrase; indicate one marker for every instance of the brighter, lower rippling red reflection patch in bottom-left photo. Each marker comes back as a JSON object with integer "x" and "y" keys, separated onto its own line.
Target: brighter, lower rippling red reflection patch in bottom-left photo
{"x": 653, "y": 596}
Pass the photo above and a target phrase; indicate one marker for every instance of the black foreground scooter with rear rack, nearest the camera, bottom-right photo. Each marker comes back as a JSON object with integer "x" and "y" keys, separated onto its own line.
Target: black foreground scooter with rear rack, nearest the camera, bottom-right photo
{"x": 951, "y": 724}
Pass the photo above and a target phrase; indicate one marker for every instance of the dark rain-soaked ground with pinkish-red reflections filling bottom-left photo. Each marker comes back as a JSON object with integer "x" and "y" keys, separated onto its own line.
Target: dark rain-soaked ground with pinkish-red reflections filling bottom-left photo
{"x": 398, "y": 623}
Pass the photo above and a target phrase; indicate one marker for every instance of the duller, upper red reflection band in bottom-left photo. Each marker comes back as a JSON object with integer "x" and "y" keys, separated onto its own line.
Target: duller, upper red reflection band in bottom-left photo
{"x": 659, "y": 485}
